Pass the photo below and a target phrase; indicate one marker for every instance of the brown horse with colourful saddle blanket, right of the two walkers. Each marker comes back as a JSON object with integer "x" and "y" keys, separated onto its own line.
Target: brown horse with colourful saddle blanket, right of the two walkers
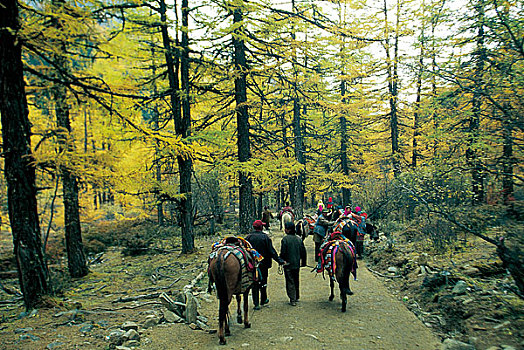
{"x": 341, "y": 262}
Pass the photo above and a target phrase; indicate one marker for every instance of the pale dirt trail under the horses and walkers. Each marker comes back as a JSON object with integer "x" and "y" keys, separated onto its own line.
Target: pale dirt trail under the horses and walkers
{"x": 374, "y": 320}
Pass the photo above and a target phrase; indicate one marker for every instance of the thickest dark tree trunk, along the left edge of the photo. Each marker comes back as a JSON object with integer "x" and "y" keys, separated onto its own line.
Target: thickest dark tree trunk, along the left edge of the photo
{"x": 19, "y": 171}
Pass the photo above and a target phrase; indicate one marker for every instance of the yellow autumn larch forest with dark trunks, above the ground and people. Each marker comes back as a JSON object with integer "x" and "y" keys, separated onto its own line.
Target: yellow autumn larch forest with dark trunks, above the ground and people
{"x": 179, "y": 113}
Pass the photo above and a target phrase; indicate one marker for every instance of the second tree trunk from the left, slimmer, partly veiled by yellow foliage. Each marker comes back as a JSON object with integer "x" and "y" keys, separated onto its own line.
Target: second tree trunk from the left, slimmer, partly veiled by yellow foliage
{"x": 76, "y": 258}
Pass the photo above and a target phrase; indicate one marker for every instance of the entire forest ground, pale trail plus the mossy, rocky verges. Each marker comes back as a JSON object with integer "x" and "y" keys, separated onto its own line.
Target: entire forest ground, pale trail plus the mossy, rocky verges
{"x": 395, "y": 305}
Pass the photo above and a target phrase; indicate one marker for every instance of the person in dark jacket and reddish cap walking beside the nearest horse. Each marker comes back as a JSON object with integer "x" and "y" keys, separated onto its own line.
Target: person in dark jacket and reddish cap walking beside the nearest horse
{"x": 263, "y": 244}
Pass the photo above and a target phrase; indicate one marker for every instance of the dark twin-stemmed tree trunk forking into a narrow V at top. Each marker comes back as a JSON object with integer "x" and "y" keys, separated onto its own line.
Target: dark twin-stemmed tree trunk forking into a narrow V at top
{"x": 182, "y": 118}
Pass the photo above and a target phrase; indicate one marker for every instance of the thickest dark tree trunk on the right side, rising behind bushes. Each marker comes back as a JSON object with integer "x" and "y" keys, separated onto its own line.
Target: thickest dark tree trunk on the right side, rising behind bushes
{"x": 474, "y": 161}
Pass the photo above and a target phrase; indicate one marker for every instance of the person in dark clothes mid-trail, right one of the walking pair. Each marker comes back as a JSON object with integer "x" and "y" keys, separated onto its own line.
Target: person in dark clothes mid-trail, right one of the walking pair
{"x": 293, "y": 251}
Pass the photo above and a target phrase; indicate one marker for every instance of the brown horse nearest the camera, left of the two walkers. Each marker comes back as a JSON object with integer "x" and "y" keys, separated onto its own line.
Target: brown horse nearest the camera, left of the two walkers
{"x": 225, "y": 270}
